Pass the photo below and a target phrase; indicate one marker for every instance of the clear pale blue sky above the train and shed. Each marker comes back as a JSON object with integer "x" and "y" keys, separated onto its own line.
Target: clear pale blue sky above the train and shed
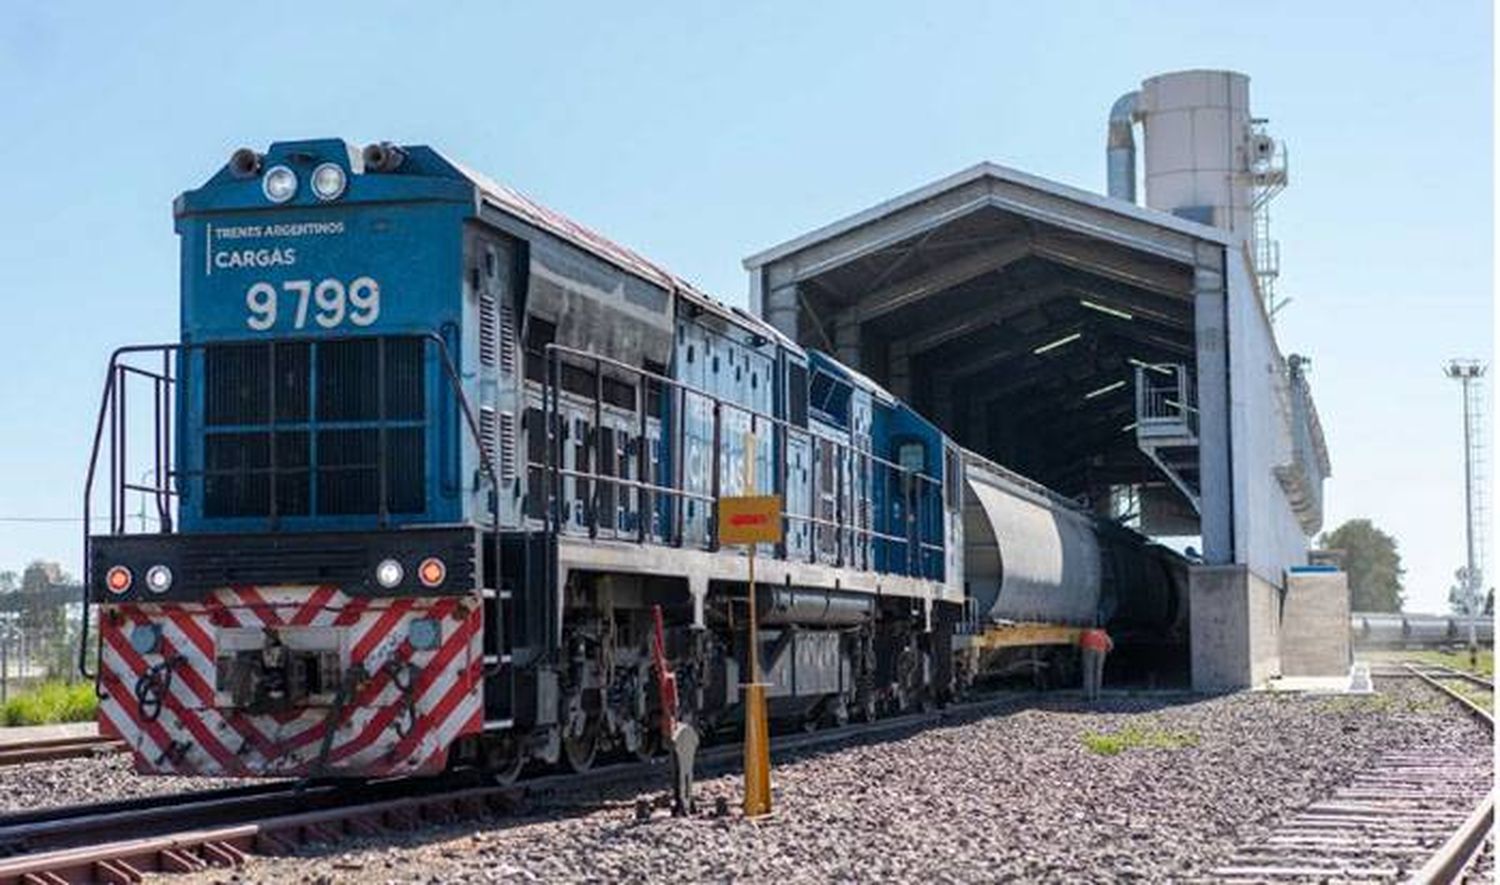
{"x": 701, "y": 133}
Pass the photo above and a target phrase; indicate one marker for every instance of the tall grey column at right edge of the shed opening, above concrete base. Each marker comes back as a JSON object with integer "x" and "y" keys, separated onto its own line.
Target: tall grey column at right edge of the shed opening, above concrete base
{"x": 1216, "y": 443}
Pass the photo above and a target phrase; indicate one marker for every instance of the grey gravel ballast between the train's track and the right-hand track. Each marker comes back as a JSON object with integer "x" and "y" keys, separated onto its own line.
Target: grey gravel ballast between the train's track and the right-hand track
{"x": 1136, "y": 788}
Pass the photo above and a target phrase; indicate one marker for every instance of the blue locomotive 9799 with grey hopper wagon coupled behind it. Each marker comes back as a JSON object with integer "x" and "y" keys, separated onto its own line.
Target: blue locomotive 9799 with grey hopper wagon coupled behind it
{"x": 428, "y": 455}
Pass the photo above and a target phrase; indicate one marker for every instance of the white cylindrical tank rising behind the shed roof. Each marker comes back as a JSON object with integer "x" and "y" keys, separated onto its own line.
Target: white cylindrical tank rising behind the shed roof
{"x": 1198, "y": 137}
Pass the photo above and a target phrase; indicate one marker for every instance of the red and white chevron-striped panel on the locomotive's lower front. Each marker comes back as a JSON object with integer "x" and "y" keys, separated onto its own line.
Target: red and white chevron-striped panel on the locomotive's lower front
{"x": 383, "y": 728}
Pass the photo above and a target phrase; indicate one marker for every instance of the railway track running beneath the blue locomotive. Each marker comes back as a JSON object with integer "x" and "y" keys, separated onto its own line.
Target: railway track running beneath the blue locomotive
{"x": 121, "y": 842}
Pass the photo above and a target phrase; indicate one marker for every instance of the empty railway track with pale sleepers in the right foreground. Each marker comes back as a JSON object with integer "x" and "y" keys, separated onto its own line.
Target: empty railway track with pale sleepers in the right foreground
{"x": 1412, "y": 817}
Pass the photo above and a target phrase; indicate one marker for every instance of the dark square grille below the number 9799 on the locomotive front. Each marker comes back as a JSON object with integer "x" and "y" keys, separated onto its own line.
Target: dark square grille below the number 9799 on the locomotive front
{"x": 307, "y": 428}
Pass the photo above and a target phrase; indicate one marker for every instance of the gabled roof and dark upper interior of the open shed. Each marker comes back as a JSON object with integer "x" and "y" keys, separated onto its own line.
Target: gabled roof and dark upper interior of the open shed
{"x": 964, "y": 298}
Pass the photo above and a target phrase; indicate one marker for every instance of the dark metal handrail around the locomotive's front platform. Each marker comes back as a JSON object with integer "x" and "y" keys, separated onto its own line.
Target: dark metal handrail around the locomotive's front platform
{"x": 113, "y": 409}
